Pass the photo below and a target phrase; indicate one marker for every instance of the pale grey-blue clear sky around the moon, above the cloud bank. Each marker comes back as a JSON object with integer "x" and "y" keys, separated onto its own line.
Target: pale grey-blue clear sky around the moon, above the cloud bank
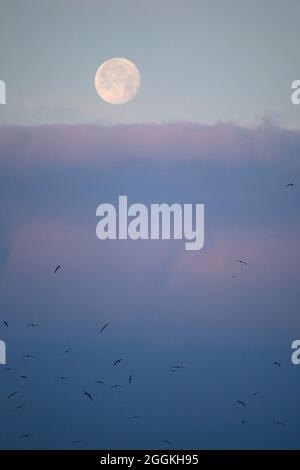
{"x": 200, "y": 61}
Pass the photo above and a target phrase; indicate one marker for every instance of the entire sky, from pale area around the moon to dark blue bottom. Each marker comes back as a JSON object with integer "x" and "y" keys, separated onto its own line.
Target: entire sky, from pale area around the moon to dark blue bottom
{"x": 212, "y": 124}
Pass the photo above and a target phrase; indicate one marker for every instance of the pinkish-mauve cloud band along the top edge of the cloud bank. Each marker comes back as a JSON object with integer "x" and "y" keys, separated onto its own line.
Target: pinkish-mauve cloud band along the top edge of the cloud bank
{"x": 93, "y": 145}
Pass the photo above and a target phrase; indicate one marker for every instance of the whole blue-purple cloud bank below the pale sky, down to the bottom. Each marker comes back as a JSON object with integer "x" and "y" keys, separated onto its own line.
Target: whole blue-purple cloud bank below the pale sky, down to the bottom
{"x": 166, "y": 306}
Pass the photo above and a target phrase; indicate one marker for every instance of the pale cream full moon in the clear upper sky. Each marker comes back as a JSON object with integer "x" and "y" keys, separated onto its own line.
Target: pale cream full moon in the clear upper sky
{"x": 117, "y": 81}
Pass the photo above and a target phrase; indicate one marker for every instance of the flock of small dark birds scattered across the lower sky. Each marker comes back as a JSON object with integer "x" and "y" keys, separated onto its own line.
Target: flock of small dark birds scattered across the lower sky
{"x": 88, "y": 395}
